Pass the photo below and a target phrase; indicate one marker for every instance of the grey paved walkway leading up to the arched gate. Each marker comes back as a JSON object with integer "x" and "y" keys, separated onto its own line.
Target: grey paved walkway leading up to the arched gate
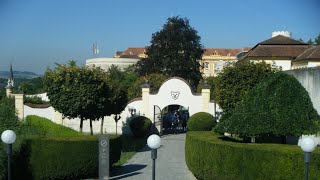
{"x": 170, "y": 163}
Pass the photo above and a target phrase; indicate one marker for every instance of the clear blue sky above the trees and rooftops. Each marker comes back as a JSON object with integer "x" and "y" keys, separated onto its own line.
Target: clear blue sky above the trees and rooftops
{"x": 35, "y": 34}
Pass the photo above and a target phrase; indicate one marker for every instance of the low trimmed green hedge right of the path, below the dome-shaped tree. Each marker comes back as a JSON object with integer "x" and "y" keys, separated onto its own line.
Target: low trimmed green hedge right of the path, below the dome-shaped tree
{"x": 208, "y": 156}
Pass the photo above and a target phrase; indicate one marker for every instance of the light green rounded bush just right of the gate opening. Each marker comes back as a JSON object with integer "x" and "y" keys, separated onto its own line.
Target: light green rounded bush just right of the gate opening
{"x": 201, "y": 121}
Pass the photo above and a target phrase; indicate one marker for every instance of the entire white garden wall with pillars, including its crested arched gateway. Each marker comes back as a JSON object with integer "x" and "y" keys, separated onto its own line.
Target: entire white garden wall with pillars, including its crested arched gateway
{"x": 174, "y": 91}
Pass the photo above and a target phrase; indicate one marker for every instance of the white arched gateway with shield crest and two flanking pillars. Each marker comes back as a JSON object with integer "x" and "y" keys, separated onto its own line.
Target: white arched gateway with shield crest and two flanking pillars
{"x": 174, "y": 91}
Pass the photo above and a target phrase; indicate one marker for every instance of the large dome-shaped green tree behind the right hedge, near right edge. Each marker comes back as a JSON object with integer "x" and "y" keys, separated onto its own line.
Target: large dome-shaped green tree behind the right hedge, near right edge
{"x": 279, "y": 106}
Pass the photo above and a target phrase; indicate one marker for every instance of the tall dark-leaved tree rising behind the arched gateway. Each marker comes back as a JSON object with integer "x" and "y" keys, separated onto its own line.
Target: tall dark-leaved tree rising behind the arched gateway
{"x": 174, "y": 51}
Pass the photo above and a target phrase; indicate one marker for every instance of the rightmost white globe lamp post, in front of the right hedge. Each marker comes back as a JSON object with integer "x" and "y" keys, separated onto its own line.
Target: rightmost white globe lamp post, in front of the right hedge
{"x": 307, "y": 145}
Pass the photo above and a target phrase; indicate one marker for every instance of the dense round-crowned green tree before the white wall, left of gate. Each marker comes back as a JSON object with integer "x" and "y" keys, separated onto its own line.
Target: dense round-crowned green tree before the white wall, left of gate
{"x": 78, "y": 92}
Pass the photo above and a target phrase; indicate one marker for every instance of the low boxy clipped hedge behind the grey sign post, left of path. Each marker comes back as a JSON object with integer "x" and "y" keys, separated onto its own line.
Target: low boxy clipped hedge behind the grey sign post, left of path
{"x": 62, "y": 157}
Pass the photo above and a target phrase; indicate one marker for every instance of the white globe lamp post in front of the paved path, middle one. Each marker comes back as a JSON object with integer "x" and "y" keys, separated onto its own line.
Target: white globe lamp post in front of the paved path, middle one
{"x": 154, "y": 143}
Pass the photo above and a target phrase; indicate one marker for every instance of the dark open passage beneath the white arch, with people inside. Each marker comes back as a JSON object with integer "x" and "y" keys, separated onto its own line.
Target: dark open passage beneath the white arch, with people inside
{"x": 174, "y": 119}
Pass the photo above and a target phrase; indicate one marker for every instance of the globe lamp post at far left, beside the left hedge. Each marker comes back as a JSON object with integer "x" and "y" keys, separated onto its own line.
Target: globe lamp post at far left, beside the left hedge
{"x": 8, "y": 137}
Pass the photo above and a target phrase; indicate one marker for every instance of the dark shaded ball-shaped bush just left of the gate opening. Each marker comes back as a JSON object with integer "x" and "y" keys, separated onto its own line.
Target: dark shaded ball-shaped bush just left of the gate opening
{"x": 140, "y": 126}
